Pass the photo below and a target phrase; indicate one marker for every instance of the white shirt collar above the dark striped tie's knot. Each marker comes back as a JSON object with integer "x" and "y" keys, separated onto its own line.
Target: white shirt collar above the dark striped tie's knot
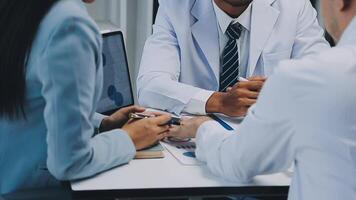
{"x": 224, "y": 20}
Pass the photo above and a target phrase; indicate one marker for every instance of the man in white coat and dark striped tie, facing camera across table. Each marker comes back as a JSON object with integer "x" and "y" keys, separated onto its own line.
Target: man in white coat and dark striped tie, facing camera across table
{"x": 193, "y": 57}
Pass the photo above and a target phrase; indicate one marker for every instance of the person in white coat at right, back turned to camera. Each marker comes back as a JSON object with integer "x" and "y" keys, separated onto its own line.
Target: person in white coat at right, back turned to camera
{"x": 306, "y": 114}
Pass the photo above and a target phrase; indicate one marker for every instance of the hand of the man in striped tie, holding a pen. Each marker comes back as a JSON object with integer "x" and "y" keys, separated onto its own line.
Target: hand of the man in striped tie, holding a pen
{"x": 238, "y": 99}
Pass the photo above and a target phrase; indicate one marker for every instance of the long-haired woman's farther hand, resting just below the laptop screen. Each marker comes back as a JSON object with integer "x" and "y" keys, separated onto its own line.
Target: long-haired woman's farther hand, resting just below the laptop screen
{"x": 119, "y": 118}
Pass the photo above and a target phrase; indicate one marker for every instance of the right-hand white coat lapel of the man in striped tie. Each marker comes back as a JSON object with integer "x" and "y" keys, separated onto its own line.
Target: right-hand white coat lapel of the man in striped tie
{"x": 264, "y": 17}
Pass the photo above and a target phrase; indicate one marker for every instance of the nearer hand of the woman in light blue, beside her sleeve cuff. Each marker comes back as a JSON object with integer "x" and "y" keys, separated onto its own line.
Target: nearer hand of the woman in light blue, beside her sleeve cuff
{"x": 147, "y": 132}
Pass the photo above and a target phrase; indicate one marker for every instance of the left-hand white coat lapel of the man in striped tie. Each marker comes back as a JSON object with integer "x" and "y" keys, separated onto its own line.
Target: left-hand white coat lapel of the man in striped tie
{"x": 205, "y": 32}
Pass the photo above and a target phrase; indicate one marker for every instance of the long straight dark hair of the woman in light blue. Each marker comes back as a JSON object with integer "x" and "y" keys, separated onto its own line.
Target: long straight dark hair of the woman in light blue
{"x": 19, "y": 22}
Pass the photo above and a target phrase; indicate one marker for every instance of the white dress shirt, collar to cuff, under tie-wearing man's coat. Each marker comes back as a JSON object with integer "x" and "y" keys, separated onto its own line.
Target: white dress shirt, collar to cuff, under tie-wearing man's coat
{"x": 198, "y": 103}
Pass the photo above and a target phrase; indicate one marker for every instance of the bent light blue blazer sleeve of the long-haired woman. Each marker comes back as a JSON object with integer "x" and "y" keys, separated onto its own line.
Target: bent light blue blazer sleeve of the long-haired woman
{"x": 70, "y": 94}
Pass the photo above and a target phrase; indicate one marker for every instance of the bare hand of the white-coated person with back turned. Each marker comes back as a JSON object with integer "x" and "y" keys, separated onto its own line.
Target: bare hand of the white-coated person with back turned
{"x": 188, "y": 127}
